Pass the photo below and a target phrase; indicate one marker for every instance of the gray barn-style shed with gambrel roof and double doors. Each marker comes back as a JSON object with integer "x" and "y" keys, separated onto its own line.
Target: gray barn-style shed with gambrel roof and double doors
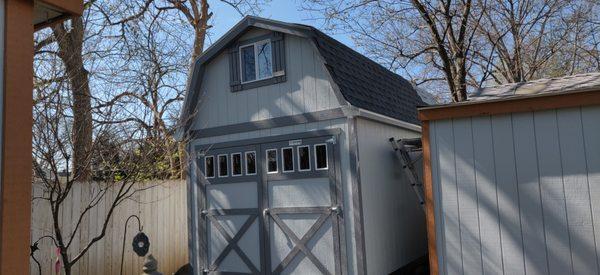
{"x": 291, "y": 170}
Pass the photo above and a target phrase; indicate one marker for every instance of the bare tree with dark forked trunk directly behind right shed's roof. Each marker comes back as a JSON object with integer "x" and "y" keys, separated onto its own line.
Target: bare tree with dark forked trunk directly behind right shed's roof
{"x": 435, "y": 36}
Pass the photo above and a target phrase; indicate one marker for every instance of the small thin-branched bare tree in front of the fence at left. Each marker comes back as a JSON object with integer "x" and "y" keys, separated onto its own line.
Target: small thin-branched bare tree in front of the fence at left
{"x": 118, "y": 166}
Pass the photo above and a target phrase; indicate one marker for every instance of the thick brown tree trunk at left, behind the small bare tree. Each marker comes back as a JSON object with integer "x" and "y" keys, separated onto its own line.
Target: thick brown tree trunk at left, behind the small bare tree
{"x": 70, "y": 50}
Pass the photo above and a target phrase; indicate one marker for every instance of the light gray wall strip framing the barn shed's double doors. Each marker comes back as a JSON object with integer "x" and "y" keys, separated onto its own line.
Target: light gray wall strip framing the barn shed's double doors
{"x": 345, "y": 171}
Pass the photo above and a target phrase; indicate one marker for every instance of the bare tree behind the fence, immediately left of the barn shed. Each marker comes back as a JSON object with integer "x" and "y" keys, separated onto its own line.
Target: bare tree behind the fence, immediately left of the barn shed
{"x": 153, "y": 86}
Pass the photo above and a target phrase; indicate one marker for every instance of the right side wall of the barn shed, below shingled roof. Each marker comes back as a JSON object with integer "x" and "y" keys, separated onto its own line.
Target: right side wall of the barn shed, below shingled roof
{"x": 394, "y": 222}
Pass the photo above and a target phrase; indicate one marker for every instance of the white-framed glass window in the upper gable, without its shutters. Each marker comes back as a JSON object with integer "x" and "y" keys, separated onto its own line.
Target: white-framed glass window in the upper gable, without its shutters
{"x": 256, "y": 61}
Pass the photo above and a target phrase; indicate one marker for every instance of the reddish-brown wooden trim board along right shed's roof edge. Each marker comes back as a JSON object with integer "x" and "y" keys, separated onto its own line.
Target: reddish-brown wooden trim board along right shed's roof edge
{"x": 511, "y": 105}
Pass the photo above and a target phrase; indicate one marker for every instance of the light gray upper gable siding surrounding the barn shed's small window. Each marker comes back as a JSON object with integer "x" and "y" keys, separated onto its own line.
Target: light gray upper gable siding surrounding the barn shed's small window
{"x": 307, "y": 89}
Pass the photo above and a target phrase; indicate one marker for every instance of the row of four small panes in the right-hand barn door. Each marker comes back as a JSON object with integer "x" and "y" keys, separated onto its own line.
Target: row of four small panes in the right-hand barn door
{"x": 303, "y": 159}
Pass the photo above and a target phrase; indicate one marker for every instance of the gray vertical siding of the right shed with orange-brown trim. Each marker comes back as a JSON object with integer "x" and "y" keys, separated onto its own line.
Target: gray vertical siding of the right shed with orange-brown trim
{"x": 518, "y": 193}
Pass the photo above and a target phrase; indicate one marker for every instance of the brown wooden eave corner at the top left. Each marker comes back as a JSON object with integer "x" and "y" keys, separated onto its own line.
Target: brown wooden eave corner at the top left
{"x": 48, "y": 12}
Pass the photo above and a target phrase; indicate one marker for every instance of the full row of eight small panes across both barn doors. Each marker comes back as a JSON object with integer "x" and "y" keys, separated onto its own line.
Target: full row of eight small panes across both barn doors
{"x": 303, "y": 157}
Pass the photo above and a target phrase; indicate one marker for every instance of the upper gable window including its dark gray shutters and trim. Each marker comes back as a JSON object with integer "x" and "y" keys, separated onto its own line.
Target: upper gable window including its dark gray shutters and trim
{"x": 257, "y": 62}
